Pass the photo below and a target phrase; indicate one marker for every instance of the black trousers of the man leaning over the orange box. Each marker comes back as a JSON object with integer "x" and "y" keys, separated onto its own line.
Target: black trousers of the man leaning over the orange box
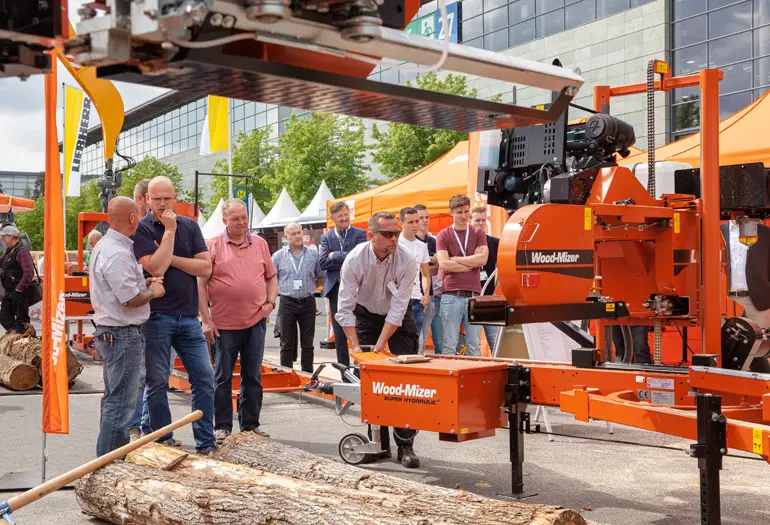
{"x": 404, "y": 341}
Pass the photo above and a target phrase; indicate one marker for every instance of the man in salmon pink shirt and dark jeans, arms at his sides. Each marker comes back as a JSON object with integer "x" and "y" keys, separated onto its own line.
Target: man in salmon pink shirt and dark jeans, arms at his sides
{"x": 235, "y": 300}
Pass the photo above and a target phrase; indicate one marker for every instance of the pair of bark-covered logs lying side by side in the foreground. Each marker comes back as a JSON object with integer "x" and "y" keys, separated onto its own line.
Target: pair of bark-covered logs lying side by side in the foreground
{"x": 255, "y": 480}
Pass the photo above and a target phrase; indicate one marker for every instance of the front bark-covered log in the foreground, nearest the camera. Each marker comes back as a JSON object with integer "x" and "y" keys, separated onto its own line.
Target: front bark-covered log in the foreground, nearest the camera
{"x": 174, "y": 487}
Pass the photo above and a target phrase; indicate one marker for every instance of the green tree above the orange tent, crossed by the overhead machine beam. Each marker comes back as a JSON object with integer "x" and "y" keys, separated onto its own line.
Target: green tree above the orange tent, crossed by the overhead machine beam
{"x": 404, "y": 148}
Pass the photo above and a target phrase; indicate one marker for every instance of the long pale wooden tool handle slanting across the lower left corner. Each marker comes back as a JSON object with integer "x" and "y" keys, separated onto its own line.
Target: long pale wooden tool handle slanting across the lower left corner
{"x": 34, "y": 494}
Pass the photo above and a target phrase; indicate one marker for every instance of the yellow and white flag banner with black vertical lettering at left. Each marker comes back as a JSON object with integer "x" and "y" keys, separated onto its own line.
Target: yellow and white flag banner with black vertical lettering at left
{"x": 77, "y": 112}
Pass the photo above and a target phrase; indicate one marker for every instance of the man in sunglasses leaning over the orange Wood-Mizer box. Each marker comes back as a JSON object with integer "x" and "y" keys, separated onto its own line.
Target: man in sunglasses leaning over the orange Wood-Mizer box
{"x": 377, "y": 280}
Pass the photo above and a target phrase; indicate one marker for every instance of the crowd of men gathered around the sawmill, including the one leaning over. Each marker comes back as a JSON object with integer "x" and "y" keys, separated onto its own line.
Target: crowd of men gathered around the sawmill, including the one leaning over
{"x": 157, "y": 286}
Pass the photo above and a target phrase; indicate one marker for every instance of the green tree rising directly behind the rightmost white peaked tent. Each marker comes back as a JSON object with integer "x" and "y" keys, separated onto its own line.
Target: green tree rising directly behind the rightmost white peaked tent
{"x": 319, "y": 147}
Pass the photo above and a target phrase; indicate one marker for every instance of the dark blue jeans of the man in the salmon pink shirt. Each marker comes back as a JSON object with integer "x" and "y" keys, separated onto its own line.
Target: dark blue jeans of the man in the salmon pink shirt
{"x": 250, "y": 345}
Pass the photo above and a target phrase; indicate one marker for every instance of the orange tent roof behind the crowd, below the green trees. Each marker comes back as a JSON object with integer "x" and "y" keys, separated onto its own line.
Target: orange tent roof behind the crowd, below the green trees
{"x": 432, "y": 186}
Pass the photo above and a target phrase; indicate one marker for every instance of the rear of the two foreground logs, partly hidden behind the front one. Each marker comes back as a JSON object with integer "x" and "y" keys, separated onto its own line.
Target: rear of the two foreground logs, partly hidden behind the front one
{"x": 260, "y": 452}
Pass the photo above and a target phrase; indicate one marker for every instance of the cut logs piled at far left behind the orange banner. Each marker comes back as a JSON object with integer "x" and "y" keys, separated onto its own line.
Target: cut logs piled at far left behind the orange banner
{"x": 21, "y": 362}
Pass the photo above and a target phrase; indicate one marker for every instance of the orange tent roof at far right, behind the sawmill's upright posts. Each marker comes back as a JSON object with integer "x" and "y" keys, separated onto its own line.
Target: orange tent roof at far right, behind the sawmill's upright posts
{"x": 740, "y": 140}
